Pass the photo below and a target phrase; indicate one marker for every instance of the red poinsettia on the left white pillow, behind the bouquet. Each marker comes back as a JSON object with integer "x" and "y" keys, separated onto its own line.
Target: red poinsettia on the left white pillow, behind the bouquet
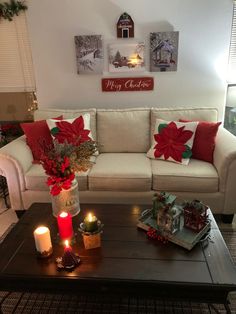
{"x": 72, "y": 132}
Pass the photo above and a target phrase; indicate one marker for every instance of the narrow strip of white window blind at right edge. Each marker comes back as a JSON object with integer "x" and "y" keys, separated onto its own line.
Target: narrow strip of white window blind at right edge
{"x": 232, "y": 49}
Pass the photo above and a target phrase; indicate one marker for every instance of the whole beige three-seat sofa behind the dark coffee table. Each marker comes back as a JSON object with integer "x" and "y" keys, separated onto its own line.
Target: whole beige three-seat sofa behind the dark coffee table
{"x": 122, "y": 173}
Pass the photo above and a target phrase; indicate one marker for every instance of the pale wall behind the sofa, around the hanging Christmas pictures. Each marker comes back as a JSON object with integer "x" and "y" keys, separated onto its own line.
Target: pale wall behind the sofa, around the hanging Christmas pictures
{"x": 204, "y": 36}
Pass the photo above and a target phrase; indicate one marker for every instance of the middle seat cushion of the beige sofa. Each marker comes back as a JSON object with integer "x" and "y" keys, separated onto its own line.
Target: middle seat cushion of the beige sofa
{"x": 121, "y": 172}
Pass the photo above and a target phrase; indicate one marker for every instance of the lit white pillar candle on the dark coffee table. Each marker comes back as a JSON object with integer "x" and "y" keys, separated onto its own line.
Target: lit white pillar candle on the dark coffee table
{"x": 42, "y": 239}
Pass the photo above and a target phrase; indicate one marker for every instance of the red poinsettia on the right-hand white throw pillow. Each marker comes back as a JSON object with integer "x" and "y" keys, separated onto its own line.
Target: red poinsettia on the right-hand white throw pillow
{"x": 171, "y": 142}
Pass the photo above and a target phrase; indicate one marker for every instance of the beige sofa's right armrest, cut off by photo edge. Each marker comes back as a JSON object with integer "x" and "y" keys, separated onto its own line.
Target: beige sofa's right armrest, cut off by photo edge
{"x": 225, "y": 163}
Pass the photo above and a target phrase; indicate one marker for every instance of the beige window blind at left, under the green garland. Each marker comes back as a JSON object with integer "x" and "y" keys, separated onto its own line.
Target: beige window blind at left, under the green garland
{"x": 16, "y": 66}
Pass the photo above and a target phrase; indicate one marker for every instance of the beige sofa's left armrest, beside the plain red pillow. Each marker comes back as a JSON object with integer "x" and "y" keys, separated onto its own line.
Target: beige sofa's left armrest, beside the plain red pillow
{"x": 15, "y": 160}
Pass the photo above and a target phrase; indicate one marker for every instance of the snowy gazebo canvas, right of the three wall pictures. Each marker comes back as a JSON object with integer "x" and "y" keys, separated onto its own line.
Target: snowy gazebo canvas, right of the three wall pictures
{"x": 163, "y": 51}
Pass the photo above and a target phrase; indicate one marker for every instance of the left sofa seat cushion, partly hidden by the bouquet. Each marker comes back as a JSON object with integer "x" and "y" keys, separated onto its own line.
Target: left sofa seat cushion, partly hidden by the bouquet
{"x": 35, "y": 179}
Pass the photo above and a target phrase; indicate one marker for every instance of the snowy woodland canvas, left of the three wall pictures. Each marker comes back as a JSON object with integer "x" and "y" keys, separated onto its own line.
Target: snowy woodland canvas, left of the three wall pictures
{"x": 89, "y": 54}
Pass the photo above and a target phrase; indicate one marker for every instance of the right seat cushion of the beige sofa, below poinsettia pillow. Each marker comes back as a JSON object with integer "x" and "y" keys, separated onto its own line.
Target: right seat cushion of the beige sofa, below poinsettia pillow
{"x": 198, "y": 176}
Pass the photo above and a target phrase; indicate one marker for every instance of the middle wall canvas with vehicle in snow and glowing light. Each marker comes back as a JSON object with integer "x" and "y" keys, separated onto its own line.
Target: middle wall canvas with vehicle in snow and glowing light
{"x": 128, "y": 57}
